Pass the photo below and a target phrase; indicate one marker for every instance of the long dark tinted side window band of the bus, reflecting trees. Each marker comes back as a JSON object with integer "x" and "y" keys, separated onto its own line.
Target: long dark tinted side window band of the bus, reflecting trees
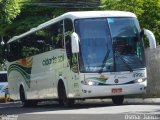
{"x": 46, "y": 39}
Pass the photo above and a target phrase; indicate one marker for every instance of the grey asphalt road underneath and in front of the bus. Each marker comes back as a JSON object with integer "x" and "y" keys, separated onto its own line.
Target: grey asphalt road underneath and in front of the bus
{"x": 81, "y": 111}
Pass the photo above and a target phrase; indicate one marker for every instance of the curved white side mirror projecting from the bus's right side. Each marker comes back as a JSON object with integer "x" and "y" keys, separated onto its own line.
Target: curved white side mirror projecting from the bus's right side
{"x": 151, "y": 37}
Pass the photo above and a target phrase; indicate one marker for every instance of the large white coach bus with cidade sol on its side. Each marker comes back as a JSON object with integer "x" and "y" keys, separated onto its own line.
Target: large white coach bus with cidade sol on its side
{"x": 78, "y": 55}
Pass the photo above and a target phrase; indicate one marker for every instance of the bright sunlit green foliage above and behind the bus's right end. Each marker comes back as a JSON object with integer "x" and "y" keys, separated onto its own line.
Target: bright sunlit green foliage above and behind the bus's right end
{"x": 147, "y": 11}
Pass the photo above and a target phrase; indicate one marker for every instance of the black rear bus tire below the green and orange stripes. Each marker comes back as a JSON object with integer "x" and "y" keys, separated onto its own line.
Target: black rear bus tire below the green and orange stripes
{"x": 26, "y": 103}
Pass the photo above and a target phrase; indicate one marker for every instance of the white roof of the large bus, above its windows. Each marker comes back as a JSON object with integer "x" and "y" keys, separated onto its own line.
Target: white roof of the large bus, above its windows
{"x": 76, "y": 15}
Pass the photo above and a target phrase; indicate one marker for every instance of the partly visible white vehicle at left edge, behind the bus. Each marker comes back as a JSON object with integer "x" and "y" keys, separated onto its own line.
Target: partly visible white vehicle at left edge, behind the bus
{"x": 3, "y": 85}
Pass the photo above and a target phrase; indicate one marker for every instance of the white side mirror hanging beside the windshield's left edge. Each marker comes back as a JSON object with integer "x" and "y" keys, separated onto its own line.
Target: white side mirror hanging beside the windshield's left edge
{"x": 75, "y": 42}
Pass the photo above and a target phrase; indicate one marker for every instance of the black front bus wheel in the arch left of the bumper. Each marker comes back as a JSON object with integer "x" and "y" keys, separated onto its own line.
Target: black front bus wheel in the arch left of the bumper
{"x": 63, "y": 100}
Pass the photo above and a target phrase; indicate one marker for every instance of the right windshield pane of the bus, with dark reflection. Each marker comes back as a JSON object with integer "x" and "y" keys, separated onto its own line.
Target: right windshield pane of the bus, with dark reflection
{"x": 128, "y": 46}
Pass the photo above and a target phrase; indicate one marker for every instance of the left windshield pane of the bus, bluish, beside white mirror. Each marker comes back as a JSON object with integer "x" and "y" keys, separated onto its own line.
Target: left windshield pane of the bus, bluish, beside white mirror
{"x": 95, "y": 45}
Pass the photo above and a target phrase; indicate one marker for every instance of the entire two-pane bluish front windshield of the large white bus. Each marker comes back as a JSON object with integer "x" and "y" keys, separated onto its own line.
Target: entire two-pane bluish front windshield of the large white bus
{"x": 110, "y": 44}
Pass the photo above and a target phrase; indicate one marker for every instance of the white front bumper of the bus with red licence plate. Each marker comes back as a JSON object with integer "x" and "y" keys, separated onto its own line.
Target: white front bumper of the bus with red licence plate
{"x": 114, "y": 90}
